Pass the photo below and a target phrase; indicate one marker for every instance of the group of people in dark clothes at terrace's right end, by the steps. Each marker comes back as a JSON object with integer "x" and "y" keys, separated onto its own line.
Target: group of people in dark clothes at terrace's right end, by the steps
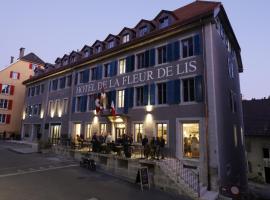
{"x": 154, "y": 148}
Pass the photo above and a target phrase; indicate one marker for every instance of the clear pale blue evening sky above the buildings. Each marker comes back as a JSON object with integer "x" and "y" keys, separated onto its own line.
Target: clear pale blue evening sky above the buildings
{"x": 52, "y": 28}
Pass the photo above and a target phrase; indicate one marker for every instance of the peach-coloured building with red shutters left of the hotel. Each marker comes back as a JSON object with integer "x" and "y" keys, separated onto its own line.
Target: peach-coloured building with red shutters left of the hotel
{"x": 12, "y": 90}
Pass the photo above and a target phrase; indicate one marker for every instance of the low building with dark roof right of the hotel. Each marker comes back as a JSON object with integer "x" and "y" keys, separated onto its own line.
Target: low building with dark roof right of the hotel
{"x": 257, "y": 134}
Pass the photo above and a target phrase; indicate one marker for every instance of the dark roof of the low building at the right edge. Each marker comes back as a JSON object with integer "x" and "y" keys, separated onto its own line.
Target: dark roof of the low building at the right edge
{"x": 256, "y": 115}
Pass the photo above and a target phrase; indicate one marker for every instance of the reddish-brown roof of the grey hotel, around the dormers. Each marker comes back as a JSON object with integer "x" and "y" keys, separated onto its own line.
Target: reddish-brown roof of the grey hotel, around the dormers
{"x": 186, "y": 15}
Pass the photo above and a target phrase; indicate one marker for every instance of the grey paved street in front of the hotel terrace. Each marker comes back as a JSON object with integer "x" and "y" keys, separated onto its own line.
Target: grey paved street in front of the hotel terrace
{"x": 47, "y": 177}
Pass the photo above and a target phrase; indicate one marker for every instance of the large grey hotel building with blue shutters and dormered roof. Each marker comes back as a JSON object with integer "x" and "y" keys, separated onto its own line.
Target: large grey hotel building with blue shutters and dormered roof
{"x": 176, "y": 77}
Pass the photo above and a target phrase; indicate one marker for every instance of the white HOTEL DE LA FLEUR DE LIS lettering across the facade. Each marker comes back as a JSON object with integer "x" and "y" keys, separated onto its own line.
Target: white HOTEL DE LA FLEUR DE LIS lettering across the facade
{"x": 147, "y": 75}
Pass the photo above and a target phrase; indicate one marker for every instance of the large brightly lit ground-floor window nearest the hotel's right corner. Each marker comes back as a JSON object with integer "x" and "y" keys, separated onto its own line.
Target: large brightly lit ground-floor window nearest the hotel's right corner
{"x": 191, "y": 140}
